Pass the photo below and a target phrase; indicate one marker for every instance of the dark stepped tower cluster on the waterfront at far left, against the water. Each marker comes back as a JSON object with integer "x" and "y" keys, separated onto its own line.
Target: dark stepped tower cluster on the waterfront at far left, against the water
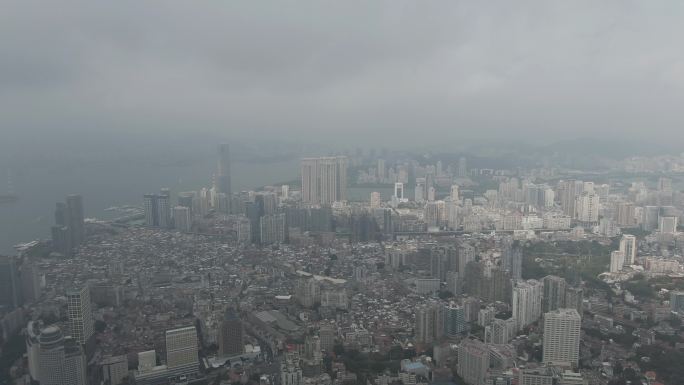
{"x": 69, "y": 230}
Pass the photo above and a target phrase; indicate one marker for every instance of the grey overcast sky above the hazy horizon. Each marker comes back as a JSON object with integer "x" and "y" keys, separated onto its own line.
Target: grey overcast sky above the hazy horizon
{"x": 417, "y": 70}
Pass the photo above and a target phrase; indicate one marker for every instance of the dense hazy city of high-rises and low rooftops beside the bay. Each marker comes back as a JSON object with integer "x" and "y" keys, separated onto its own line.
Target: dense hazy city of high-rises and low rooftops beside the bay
{"x": 463, "y": 275}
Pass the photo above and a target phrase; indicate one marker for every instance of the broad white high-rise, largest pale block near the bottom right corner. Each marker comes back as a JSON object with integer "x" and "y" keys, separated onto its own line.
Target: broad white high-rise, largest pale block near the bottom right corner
{"x": 562, "y": 337}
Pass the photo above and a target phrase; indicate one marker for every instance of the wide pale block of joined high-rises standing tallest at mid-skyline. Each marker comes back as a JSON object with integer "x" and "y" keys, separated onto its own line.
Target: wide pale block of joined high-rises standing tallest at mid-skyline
{"x": 324, "y": 180}
